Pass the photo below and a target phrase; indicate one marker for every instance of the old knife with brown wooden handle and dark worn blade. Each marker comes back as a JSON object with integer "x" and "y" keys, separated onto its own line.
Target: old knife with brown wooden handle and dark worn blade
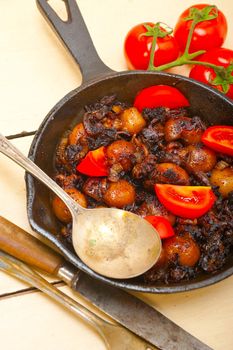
{"x": 124, "y": 308}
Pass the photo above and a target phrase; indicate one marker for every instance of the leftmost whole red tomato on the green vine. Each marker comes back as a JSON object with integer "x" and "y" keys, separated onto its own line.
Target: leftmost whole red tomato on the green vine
{"x": 137, "y": 48}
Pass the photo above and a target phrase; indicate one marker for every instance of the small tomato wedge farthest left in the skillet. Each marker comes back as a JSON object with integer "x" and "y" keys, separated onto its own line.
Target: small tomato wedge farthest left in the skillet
{"x": 94, "y": 163}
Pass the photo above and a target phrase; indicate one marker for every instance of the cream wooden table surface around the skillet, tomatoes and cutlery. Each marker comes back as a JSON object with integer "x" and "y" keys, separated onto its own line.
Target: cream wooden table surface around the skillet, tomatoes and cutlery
{"x": 36, "y": 72}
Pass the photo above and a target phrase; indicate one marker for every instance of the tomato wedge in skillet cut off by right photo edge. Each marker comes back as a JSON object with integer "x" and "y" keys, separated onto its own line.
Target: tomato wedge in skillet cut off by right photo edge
{"x": 219, "y": 138}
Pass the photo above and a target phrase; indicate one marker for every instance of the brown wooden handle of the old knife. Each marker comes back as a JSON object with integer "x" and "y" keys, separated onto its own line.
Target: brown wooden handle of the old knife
{"x": 22, "y": 245}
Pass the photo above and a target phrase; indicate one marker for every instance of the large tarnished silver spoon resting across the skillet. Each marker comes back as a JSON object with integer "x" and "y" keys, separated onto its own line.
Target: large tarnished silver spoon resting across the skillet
{"x": 112, "y": 242}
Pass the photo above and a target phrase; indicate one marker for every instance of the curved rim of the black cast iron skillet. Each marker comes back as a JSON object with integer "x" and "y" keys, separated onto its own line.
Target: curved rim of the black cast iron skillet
{"x": 126, "y": 284}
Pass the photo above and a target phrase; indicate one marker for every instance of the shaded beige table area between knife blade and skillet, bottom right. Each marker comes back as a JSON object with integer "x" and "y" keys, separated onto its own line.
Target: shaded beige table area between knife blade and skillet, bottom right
{"x": 206, "y": 313}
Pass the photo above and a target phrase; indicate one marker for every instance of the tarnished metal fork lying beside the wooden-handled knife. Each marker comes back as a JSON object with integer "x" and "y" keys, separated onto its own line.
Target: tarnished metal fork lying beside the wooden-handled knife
{"x": 115, "y": 336}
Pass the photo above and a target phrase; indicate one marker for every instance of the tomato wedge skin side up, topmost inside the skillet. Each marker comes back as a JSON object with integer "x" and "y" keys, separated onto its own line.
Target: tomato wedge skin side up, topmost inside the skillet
{"x": 160, "y": 96}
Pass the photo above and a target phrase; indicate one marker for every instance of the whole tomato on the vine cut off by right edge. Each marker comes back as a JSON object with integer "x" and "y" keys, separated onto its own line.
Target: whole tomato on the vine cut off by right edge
{"x": 220, "y": 57}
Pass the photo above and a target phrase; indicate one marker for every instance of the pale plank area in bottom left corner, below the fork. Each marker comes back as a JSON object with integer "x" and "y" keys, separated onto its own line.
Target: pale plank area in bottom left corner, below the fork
{"x": 33, "y": 320}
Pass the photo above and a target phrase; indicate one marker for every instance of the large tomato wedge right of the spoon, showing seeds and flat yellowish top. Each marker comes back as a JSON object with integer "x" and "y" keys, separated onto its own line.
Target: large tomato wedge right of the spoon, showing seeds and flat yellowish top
{"x": 186, "y": 201}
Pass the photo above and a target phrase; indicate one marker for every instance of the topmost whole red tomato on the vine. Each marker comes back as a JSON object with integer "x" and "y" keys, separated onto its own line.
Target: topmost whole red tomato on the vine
{"x": 207, "y": 34}
